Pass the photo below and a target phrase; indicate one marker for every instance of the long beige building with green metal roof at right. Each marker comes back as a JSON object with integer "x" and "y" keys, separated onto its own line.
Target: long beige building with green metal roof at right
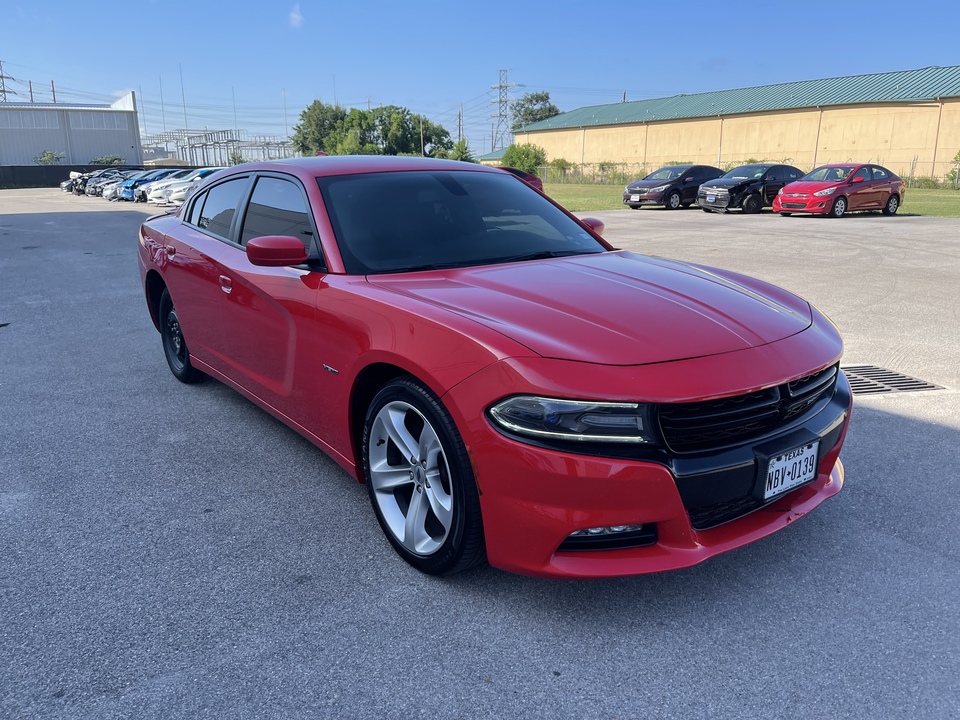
{"x": 907, "y": 121}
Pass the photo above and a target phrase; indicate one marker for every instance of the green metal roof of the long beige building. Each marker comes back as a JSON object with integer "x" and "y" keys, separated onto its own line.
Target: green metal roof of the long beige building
{"x": 903, "y": 86}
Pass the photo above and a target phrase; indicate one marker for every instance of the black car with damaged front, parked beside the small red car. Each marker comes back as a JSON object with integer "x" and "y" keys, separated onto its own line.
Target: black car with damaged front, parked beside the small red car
{"x": 749, "y": 187}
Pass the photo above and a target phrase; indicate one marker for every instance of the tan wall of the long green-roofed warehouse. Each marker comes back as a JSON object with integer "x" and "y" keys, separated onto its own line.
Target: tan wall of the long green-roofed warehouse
{"x": 925, "y": 135}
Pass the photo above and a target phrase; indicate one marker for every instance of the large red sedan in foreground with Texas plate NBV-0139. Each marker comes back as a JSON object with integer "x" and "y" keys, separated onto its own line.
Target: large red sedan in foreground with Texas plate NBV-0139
{"x": 507, "y": 385}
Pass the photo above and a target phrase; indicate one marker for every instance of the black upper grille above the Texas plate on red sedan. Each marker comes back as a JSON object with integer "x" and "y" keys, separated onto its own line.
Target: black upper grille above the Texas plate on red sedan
{"x": 714, "y": 424}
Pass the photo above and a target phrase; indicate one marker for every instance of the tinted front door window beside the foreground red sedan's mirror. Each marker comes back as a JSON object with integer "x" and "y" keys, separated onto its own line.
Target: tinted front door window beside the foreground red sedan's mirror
{"x": 277, "y": 207}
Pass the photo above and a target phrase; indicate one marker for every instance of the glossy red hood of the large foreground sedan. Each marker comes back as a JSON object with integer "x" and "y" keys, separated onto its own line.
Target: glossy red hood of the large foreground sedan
{"x": 614, "y": 308}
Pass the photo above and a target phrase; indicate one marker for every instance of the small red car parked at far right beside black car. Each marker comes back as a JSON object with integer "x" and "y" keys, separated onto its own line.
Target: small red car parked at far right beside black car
{"x": 837, "y": 189}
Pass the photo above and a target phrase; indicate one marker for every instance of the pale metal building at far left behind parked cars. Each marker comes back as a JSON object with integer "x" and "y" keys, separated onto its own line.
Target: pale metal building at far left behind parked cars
{"x": 79, "y": 133}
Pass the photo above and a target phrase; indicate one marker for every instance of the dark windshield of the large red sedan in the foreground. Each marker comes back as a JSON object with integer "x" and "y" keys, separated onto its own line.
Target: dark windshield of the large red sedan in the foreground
{"x": 424, "y": 220}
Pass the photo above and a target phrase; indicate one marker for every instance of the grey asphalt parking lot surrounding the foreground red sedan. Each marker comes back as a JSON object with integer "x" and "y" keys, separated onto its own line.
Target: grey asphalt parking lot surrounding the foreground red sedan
{"x": 171, "y": 551}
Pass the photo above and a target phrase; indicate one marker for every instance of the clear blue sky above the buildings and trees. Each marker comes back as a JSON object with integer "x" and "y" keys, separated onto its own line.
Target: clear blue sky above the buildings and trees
{"x": 256, "y": 65}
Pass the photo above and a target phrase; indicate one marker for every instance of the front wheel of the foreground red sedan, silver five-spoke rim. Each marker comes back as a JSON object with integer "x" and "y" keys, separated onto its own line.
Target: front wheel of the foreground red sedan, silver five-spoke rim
{"x": 446, "y": 532}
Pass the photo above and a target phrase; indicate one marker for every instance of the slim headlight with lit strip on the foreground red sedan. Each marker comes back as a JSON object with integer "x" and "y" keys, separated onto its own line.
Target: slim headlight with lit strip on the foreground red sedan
{"x": 582, "y": 421}
